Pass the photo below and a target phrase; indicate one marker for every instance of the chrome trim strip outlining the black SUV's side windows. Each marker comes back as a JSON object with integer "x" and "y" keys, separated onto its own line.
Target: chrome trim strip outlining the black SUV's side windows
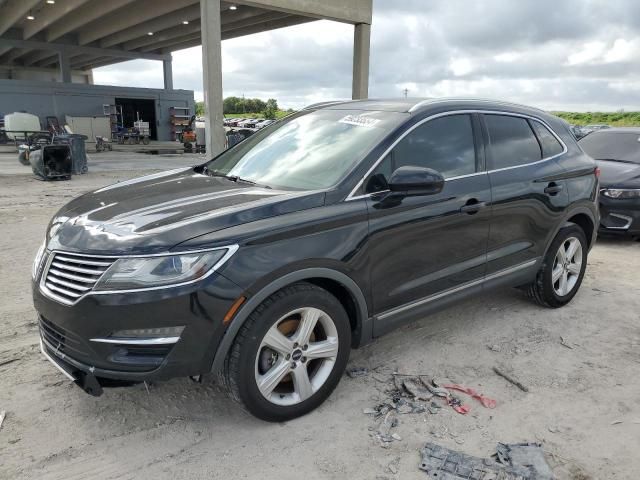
{"x": 354, "y": 196}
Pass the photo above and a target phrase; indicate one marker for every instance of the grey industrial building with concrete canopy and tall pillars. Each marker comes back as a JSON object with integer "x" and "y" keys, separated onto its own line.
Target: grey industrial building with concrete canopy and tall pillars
{"x": 48, "y": 49}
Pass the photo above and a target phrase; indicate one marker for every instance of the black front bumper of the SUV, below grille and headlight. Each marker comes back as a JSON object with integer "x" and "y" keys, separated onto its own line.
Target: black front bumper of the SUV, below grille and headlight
{"x": 66, "y": 332}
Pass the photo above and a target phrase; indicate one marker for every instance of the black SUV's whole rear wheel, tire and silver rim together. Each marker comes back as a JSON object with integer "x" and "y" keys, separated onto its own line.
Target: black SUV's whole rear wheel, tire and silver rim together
{"x": 562, "y": 270}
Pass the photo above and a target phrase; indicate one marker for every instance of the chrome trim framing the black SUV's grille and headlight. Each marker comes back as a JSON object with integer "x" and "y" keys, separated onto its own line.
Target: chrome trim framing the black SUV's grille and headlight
{"x": 231, "y": 249}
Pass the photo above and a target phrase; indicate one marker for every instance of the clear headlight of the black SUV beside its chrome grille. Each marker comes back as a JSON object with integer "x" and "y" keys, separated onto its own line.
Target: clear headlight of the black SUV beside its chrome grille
{"x": 134, "y": 273}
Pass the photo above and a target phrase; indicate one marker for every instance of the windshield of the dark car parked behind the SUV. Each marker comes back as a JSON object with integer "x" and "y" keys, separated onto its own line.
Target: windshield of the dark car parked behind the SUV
{"x": 621, "y": 146}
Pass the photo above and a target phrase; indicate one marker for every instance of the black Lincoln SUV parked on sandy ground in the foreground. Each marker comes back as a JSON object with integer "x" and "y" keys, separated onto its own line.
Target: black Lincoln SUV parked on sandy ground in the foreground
{"x": 267, "y": 264}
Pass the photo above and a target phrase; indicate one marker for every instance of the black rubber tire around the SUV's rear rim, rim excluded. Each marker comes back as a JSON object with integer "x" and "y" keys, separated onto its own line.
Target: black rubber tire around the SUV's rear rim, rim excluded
{"x": 542, "y": 290}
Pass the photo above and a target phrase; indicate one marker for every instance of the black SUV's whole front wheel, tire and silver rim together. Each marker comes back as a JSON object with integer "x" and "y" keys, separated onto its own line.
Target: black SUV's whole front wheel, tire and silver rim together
{"x": 290, "y": 354}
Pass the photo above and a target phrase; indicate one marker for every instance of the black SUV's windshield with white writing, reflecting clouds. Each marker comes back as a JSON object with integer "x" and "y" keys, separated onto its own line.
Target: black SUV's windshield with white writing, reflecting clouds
{"x": 307, "y": 151}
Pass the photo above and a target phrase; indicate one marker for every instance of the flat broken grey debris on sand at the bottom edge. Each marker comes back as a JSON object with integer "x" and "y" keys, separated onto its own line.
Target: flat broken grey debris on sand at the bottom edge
{"x": 513, "y": 462}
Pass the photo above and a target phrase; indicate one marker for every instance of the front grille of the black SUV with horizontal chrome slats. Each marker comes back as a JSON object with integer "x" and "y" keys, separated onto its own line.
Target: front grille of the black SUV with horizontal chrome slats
{"x": 69, "y": 276}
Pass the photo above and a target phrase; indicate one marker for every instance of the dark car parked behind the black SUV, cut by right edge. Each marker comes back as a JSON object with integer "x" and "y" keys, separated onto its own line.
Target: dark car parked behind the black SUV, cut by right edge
{"x": 617, "y": 152}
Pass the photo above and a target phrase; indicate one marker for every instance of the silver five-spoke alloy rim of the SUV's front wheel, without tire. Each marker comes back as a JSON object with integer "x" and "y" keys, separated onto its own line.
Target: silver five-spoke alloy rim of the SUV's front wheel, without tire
{"x": 296, "y": 356}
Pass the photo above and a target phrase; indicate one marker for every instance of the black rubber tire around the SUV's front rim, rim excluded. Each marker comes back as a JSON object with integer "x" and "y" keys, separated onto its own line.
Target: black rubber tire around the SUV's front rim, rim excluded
{"x": 239, "y": 373}
